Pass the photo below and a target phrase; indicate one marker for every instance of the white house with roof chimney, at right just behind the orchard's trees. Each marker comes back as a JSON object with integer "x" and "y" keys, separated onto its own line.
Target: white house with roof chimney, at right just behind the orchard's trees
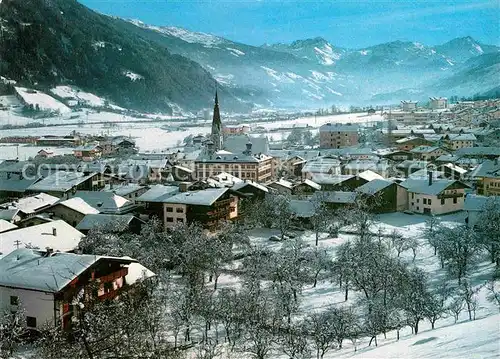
{"x": 434, "y": 196}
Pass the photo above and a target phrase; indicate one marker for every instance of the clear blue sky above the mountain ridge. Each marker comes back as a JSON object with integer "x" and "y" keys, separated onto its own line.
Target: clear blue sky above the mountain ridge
{"x": 346, "y": 23}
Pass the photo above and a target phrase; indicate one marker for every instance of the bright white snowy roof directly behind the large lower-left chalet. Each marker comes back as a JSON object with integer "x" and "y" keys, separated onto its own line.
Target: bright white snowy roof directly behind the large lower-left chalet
{"x": 42, "y": 236}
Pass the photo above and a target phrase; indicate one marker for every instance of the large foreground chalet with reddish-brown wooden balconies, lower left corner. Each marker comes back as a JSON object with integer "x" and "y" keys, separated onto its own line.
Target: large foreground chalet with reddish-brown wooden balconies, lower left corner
{"x": 48, "y": 285}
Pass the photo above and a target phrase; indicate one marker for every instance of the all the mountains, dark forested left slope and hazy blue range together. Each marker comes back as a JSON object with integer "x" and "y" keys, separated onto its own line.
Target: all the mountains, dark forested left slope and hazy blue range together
{"x": 48, "y": 43}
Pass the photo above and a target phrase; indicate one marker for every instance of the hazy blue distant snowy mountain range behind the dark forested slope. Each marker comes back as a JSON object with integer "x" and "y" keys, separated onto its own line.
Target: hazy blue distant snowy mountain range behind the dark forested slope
{"x": 313, "y": 72}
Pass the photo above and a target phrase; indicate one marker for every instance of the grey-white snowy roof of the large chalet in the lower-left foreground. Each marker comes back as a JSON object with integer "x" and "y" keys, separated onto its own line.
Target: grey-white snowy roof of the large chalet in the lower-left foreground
{"x": 32, "y": 269}
